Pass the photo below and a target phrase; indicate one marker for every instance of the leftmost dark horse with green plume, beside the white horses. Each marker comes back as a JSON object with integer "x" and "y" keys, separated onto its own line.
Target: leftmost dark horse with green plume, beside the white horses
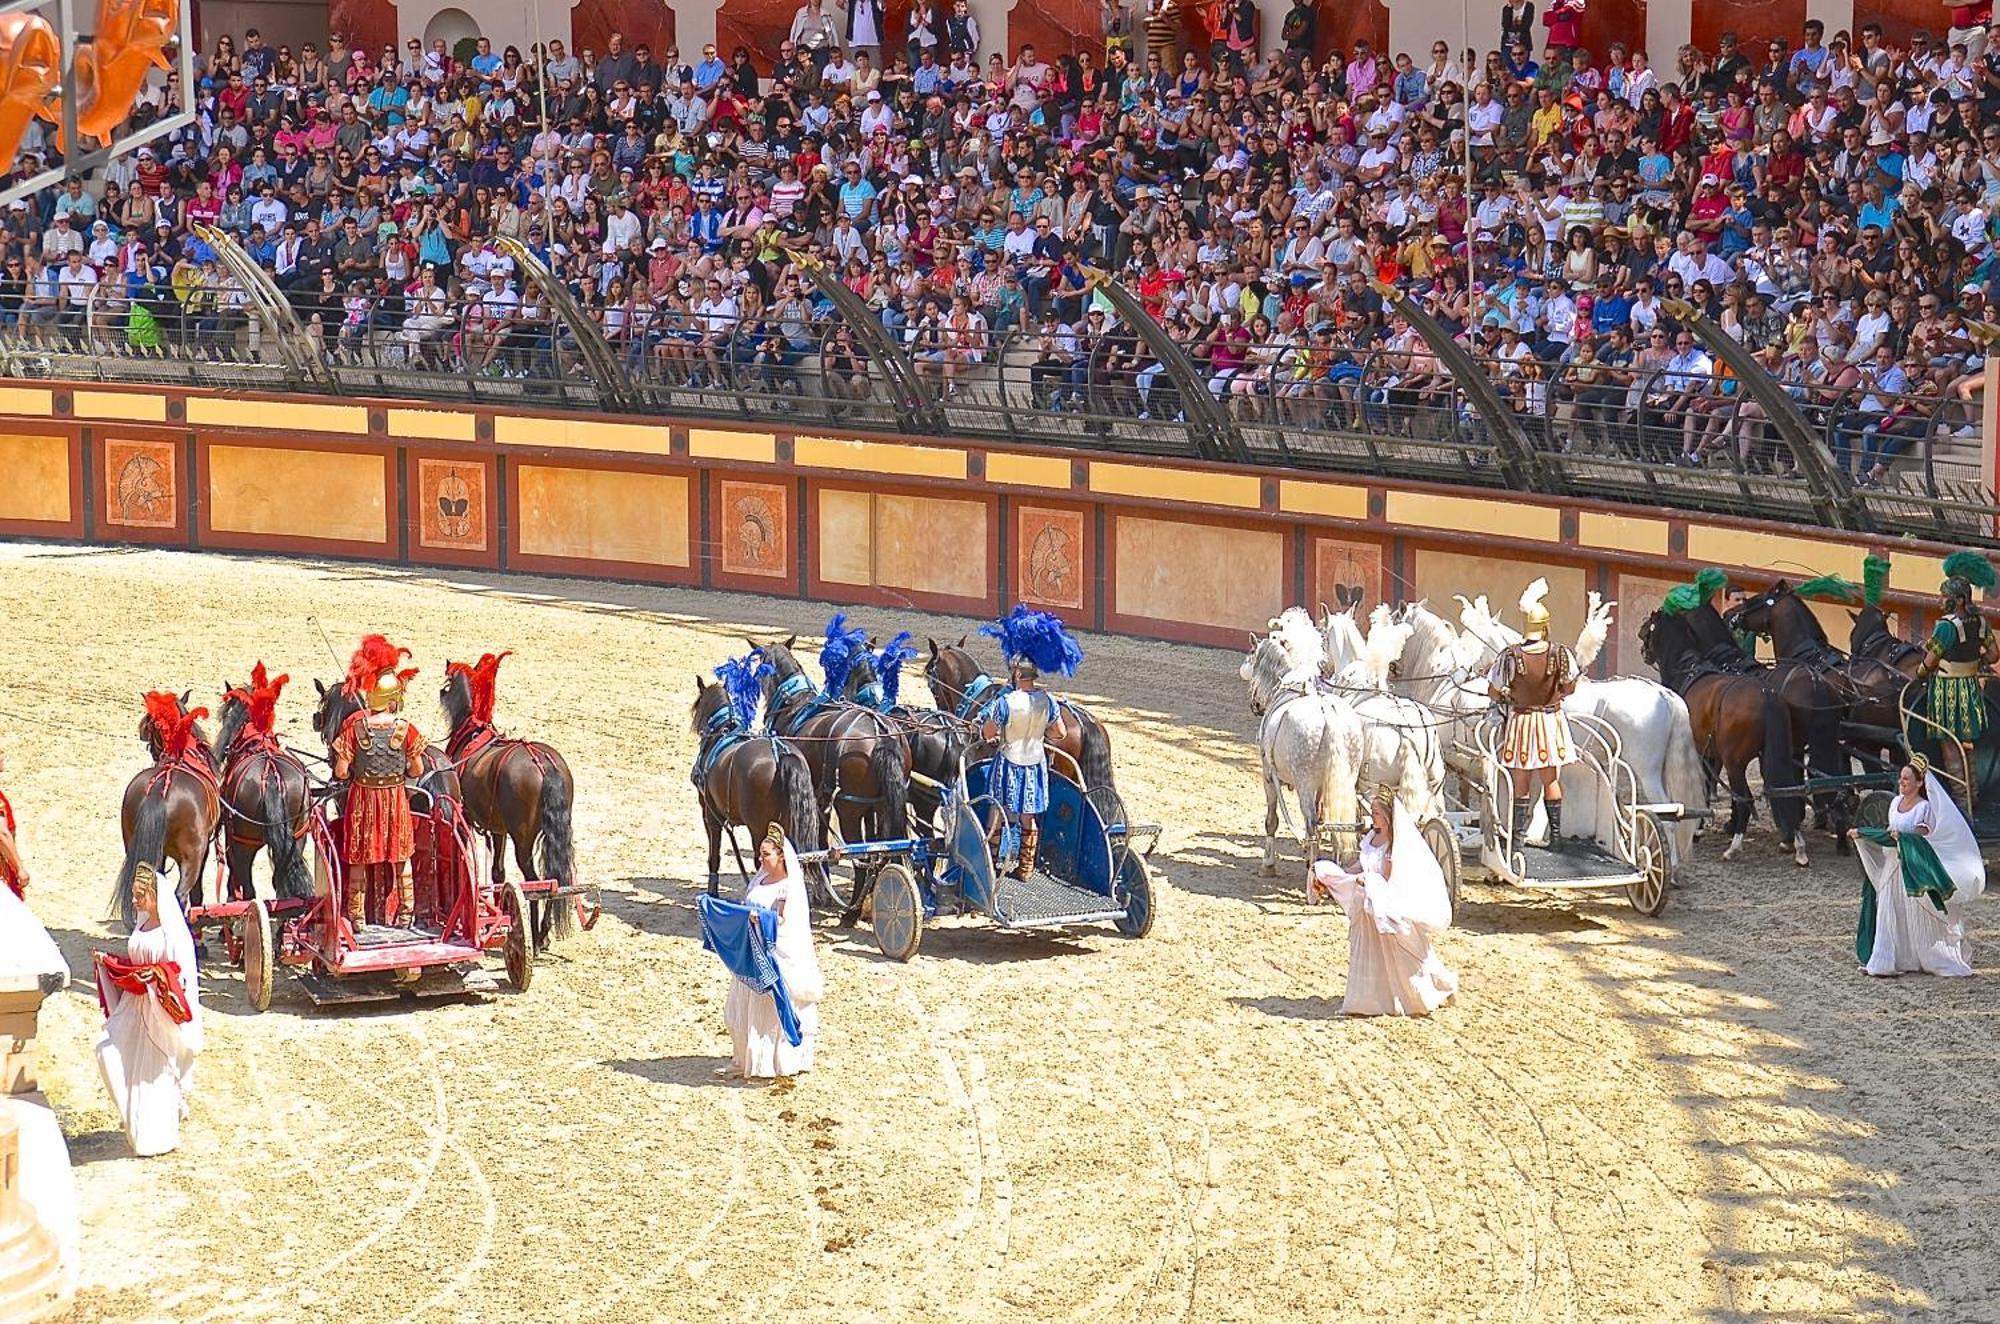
{"x": 1737, "y": 723}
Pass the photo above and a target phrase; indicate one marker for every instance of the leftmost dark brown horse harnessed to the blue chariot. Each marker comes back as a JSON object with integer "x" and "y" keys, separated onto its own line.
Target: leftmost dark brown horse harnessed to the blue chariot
{"x": 747, "y": 781}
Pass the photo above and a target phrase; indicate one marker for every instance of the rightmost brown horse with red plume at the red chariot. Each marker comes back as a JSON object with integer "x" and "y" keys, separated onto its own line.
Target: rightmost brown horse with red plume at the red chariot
{"x": 515, "y": 791}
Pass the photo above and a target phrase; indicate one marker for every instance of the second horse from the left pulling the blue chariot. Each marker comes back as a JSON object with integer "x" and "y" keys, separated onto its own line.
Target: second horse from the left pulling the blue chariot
{"x": 859, "y": 759}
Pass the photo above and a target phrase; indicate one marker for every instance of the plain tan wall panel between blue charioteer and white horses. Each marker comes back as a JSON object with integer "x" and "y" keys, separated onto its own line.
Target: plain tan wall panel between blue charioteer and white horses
{"x": 1203, "y": 575}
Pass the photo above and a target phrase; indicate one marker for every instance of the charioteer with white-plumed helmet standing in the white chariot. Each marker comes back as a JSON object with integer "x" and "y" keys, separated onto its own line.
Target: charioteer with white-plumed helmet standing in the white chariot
{"x": 1531, "y": 681}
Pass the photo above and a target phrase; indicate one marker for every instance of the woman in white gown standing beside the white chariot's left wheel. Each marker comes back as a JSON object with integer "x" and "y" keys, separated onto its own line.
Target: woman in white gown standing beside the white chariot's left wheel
{"x": 1397, "y": 905}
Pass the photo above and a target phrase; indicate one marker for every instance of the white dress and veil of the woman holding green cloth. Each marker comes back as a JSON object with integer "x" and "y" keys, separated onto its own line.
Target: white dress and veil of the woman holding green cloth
{"x": 1911, "y": 933}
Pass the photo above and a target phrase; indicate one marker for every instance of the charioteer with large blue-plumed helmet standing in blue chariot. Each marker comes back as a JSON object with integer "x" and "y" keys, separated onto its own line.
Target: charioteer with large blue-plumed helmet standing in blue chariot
{"x": 1021, "y": 719}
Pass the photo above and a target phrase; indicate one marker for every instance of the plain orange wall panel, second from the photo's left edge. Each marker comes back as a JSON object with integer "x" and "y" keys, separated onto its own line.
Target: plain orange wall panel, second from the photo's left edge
{"x": 323, "y": 495}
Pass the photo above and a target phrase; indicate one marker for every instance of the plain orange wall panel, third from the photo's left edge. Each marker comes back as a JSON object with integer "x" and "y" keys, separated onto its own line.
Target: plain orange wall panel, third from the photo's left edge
{"x": 603, "y": 515}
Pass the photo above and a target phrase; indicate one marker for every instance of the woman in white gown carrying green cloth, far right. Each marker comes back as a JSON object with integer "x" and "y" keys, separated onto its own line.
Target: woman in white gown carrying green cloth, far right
{"x": 1925, "y": 871}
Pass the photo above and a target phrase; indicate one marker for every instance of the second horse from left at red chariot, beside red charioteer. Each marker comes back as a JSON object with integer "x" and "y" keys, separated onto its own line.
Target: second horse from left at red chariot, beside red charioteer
{"x": 267, "y": 793}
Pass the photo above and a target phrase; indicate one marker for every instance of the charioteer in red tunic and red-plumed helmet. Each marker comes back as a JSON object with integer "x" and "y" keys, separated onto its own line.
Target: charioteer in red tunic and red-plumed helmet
{"x": 375, "y": 755}
